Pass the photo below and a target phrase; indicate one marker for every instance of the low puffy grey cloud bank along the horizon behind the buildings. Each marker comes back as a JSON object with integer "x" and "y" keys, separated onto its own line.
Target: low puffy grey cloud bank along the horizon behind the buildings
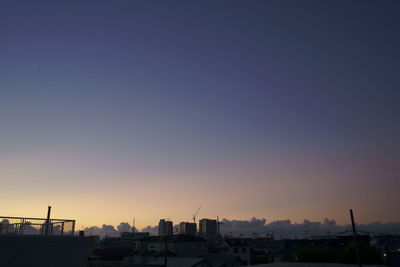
{"x": 260, "y": 228}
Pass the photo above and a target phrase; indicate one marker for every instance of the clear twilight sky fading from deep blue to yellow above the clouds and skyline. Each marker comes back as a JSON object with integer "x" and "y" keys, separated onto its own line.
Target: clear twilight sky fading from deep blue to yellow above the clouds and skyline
{"x": 114, "y": 110}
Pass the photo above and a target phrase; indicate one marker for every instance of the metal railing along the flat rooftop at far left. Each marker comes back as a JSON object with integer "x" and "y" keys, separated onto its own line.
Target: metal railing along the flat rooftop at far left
{"x": 36, "y": 226}
